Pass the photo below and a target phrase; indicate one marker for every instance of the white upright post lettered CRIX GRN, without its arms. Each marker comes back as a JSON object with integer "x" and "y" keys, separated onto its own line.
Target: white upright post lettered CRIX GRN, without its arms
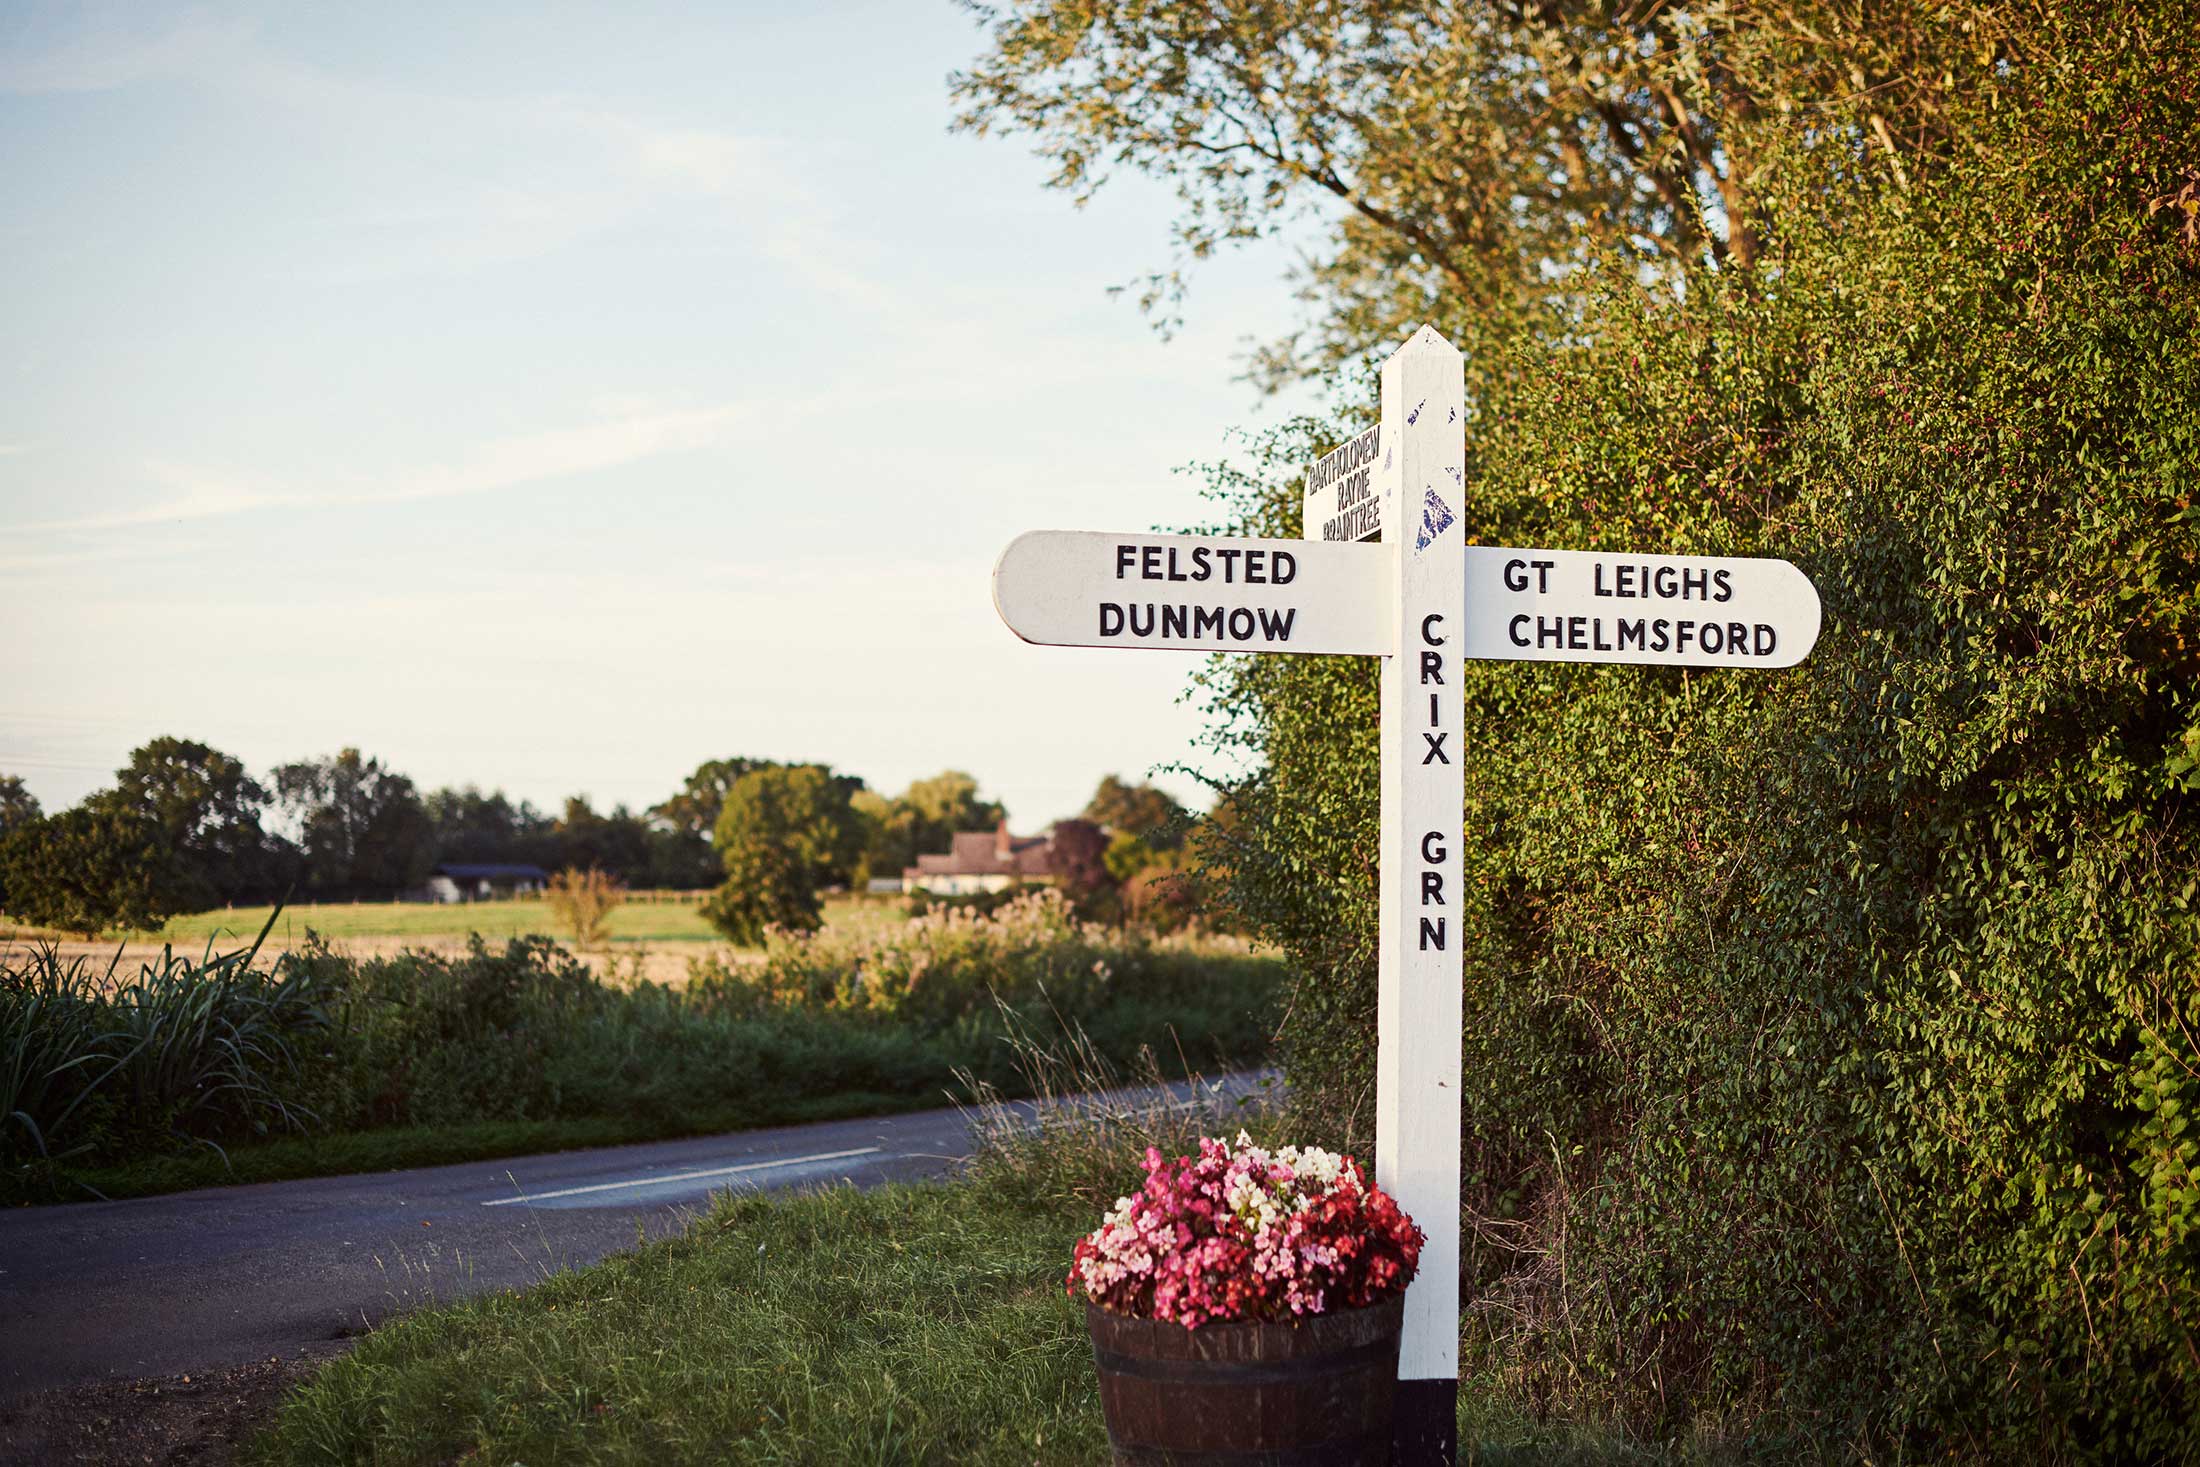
{"x": 1420, "y": 898}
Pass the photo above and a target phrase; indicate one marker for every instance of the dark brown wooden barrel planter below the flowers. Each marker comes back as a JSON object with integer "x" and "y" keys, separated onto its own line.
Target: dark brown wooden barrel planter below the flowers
{"x": 1248, "y": 1396}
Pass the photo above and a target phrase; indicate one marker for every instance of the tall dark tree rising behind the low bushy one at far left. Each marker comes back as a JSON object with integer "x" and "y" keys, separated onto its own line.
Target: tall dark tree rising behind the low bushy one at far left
{"x": 210, "y": 810}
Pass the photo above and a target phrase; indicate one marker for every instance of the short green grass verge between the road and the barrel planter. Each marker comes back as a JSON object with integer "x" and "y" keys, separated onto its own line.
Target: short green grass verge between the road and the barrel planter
{"x": 907, "y": 1325}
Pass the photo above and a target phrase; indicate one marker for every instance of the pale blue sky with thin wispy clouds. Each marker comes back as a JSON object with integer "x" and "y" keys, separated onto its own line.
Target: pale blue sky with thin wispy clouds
{"x": 555, "y": 397}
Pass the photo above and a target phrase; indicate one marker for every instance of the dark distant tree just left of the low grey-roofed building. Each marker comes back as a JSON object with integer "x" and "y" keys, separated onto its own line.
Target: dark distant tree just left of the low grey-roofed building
{"x": 362, "y": 826}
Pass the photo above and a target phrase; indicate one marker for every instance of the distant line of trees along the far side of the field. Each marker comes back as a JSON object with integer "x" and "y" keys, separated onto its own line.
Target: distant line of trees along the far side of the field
{"x": 188, "y": 828}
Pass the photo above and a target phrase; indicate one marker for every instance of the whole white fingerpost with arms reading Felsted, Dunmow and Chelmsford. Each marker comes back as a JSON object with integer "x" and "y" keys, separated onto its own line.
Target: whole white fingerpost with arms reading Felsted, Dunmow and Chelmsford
{"x": 1383, "y": 571}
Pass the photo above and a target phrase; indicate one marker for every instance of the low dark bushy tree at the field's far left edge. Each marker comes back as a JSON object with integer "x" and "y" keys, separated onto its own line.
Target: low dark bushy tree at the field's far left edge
{"x": 96, "y": 868}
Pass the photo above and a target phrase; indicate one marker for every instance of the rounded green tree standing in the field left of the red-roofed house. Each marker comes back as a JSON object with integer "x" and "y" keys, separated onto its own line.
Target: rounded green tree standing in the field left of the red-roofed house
{"x": 784, "y": 835}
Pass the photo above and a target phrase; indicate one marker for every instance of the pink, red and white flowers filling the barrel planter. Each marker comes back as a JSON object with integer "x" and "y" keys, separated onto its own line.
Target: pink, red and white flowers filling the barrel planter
{"x": 1248, "y": 1235}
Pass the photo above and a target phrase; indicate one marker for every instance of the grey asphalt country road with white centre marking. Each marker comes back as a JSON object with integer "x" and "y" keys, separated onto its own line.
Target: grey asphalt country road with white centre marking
{"x": 199, "y": 1281}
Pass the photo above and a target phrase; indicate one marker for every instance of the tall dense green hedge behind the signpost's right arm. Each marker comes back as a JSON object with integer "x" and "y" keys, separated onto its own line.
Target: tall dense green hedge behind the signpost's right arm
{"x": 1831, "y": 1035}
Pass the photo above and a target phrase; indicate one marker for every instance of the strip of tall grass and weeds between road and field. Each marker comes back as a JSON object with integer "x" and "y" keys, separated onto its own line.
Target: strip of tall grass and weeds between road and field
{"x": 113, "y": 1074}
